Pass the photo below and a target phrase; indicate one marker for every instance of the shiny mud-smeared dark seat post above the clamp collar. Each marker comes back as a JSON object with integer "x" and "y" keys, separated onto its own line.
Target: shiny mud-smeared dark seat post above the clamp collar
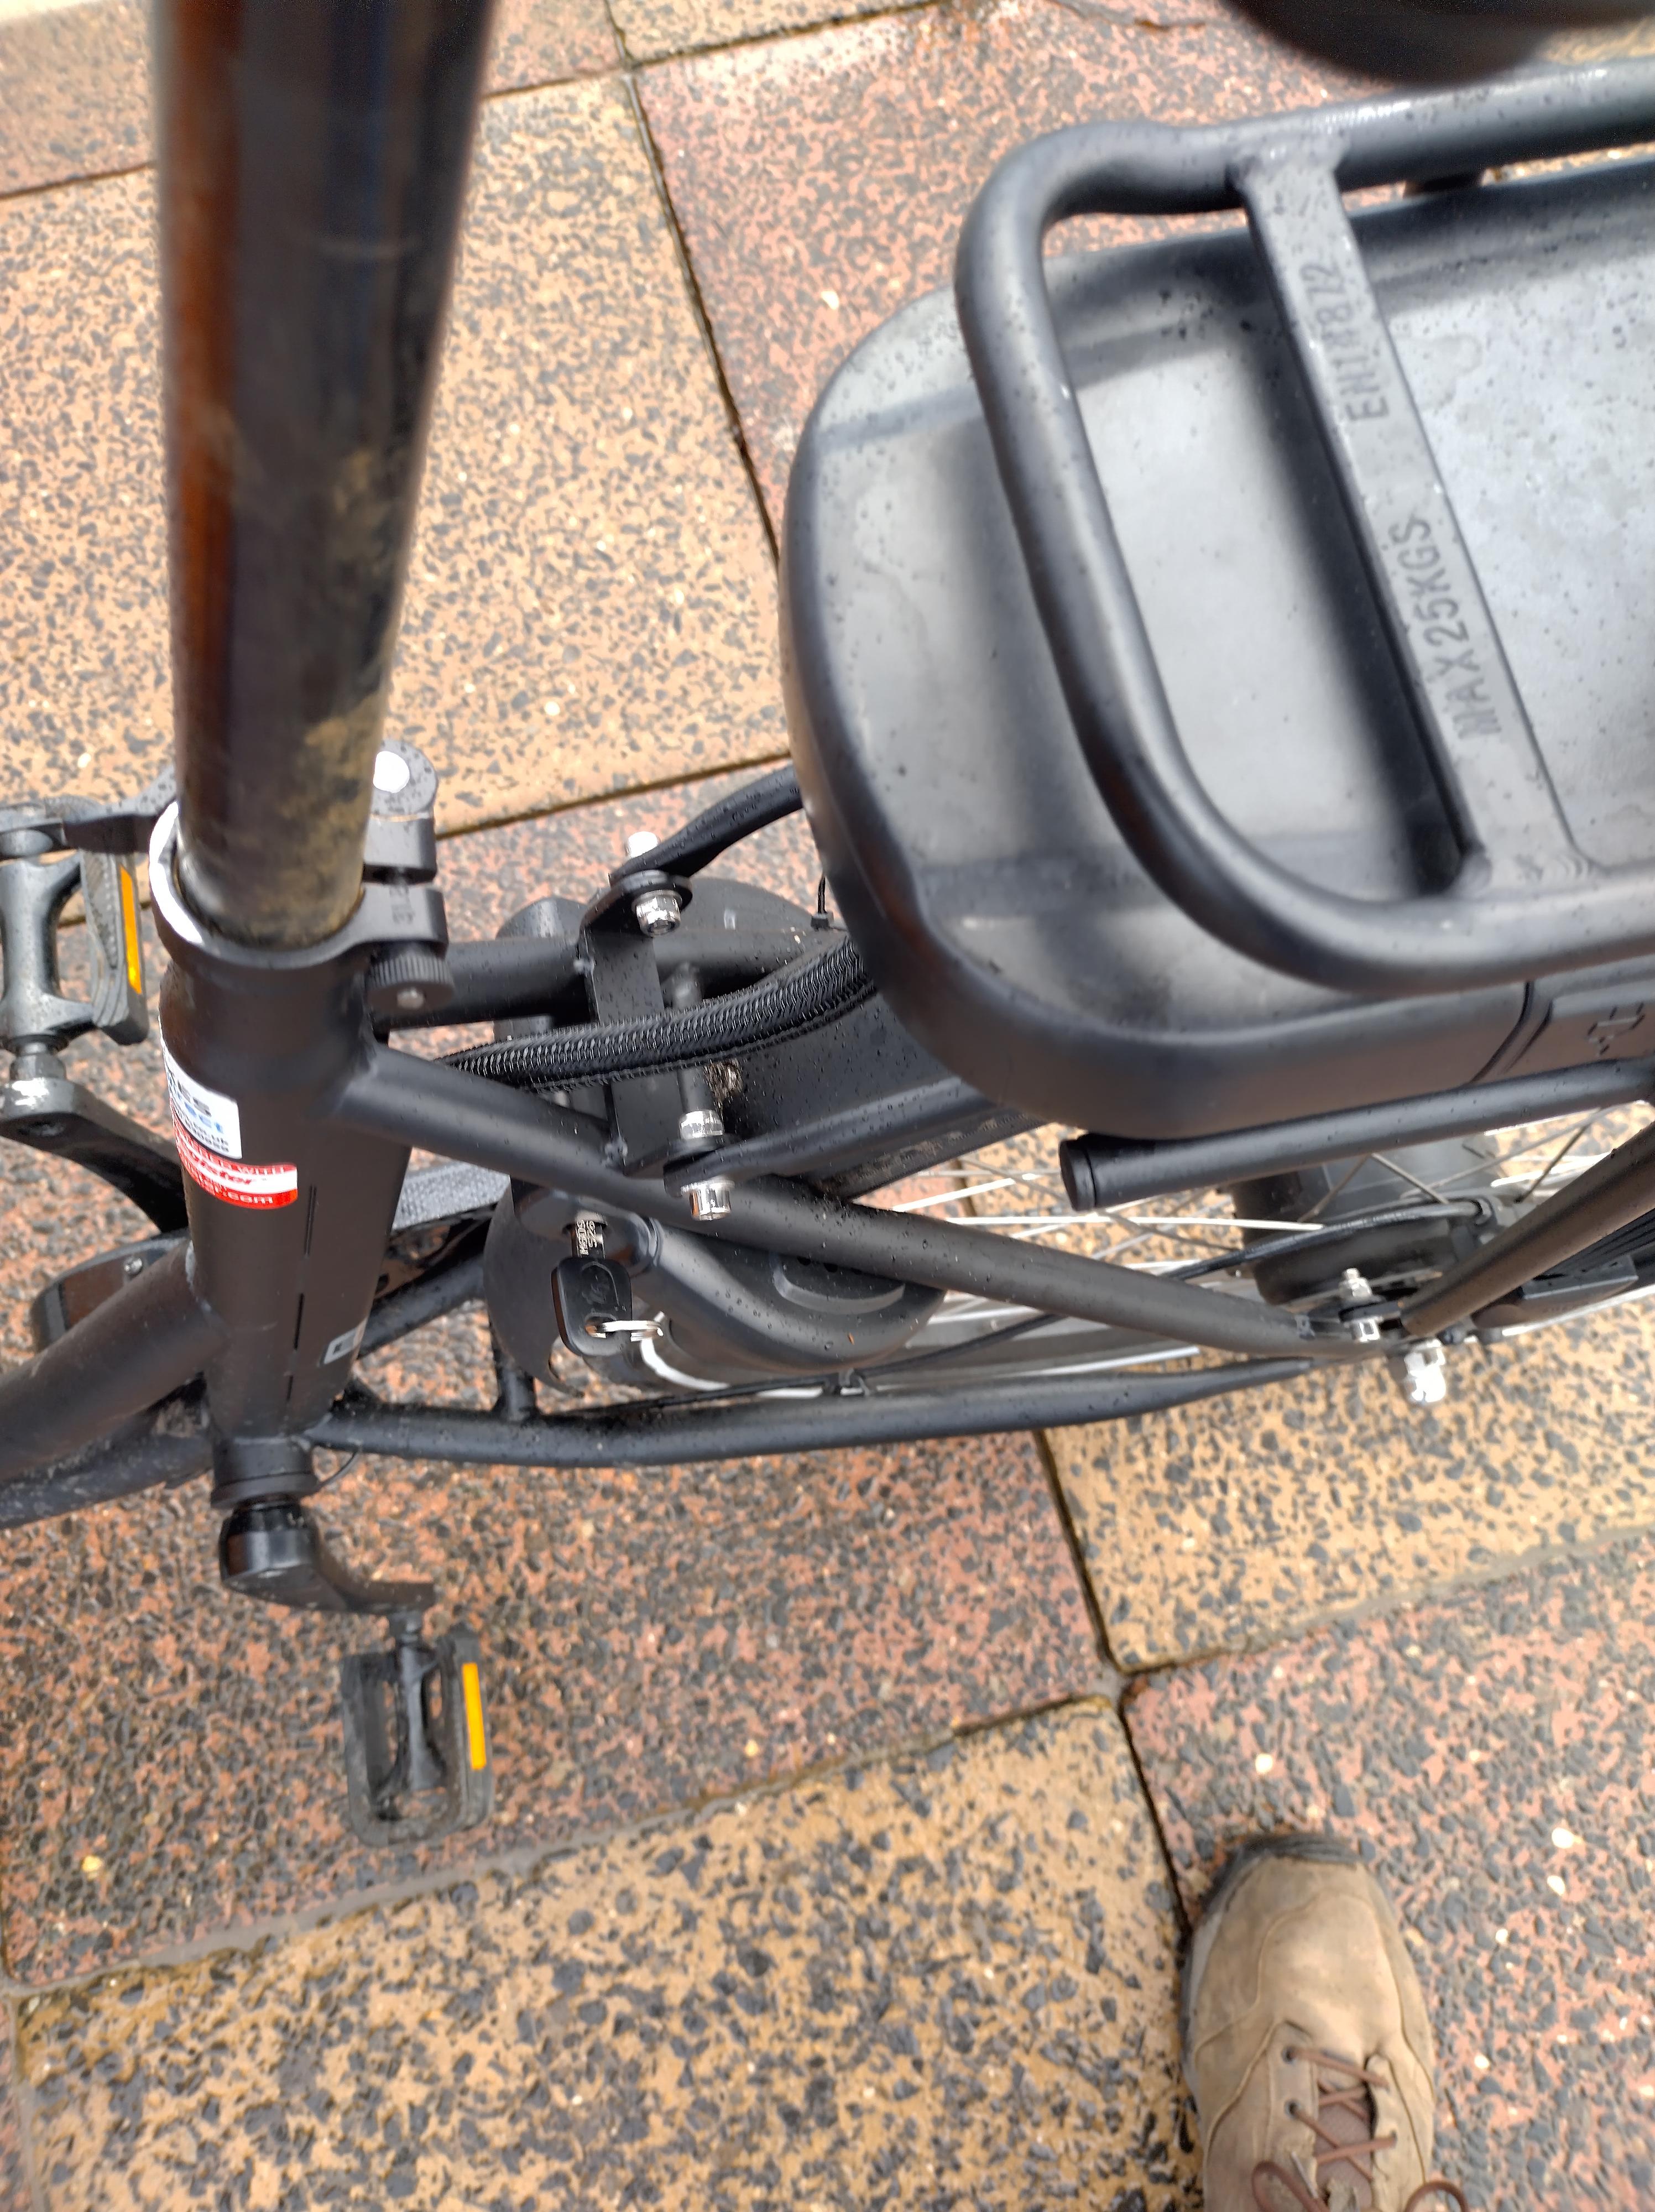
{"x": 311, "y": 180}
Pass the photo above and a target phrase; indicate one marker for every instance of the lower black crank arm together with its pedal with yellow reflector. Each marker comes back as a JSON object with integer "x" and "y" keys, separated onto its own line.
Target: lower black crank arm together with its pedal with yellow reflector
{"x": 417, "y": 1740}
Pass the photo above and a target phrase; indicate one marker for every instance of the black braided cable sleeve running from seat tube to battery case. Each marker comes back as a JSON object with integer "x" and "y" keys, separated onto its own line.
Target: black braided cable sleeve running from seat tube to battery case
{"x": 787, "y": 1005}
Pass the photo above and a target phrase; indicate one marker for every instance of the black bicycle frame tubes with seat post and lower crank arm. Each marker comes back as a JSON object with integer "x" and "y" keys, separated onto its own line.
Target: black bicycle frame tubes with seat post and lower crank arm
{"x": 313, "y": 167}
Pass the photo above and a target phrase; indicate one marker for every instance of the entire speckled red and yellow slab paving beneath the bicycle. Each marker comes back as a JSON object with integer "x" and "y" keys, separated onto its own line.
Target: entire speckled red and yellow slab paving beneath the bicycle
{"x": 831, "y": 1870}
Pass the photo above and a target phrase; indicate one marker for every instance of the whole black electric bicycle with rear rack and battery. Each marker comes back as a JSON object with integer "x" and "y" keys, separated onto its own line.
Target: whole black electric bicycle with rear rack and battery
{"x": 1300, "y": 919}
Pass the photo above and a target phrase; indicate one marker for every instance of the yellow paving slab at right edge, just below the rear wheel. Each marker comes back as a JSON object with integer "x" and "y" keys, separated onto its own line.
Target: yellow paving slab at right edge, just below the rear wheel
{"x": 1242, "y": 1521}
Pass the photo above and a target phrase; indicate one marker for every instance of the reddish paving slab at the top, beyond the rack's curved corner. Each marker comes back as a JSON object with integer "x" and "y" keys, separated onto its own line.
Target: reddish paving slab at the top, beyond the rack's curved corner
{"x": 822, "y": 180}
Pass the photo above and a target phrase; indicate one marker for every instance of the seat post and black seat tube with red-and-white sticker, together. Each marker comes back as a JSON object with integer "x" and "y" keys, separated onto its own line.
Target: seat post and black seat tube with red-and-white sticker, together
{"x": 313, "y": 163}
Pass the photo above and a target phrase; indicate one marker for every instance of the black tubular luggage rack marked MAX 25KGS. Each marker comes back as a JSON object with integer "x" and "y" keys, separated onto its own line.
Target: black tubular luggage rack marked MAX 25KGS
{"x": 1523, "y": 899}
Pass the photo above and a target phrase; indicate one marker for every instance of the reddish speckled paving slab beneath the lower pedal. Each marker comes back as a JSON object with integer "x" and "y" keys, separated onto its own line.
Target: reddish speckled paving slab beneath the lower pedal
{"x": 174, "y": 1760}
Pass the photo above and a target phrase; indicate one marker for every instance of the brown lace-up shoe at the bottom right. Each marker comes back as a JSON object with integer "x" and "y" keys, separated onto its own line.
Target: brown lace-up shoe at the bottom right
{"x": 1307, "y": 2041}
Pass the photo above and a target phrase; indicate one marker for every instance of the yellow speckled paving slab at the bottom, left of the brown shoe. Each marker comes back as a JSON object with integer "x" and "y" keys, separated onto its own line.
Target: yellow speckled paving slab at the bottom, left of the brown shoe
{"x": 928, "y": 1983}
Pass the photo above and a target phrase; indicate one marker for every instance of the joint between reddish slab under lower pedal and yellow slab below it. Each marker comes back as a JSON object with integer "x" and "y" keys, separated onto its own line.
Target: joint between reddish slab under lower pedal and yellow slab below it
{"x": 521, "y": 1866}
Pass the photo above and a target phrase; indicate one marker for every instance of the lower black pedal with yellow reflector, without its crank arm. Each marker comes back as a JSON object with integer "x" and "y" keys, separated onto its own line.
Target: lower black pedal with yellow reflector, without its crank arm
{"x": 417, "y": 1738}
